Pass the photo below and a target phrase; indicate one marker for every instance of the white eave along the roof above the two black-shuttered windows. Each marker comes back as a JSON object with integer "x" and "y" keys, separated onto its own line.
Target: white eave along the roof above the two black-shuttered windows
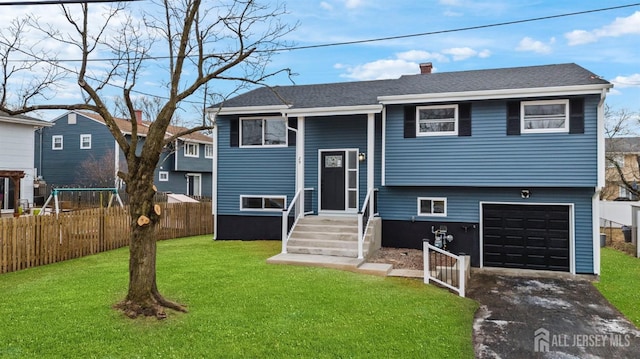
{"x": 595, "y": 89}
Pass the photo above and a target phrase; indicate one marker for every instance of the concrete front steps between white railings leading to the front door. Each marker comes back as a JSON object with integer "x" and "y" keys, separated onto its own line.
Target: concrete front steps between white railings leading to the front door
{"x": 329, "y": 236}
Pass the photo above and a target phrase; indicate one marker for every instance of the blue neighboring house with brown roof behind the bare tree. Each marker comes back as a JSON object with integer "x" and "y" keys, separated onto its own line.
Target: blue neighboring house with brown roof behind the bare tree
{"x": 76, "y": 137}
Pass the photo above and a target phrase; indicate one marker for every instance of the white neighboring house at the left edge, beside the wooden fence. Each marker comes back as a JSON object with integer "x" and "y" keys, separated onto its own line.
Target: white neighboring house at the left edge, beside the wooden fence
{"x": 17, "y": 159}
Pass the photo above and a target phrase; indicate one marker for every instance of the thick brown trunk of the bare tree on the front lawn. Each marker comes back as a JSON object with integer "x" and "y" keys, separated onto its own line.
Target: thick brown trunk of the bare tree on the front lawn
{"x": 143, "y": 297}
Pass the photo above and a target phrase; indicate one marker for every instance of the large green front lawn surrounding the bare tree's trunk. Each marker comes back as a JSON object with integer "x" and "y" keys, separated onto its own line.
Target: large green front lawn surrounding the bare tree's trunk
{"x": 239, "y": 307}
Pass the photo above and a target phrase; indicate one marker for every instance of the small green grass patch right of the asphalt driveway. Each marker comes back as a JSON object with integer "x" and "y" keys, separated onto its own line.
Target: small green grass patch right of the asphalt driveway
{"x": 620, "y": 282}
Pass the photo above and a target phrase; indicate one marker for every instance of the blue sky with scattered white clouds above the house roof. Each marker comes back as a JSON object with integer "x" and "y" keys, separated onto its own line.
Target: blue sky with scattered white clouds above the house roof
{"x": 606, "y": 43}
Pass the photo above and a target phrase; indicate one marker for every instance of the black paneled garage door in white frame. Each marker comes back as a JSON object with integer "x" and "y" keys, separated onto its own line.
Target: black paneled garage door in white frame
{"x": 526, "y": 236}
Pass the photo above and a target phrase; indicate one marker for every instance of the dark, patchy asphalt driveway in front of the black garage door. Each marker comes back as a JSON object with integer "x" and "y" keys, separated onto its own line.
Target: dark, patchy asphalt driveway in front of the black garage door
{"x": 540, "y": 317}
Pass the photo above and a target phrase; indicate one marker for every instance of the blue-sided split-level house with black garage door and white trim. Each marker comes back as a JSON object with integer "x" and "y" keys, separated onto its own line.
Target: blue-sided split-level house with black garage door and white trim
{"x": 510, "y": 160}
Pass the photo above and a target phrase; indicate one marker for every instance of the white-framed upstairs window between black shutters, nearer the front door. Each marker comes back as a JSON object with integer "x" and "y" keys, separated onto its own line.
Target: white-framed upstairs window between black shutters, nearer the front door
{"x": 437, "y": 120}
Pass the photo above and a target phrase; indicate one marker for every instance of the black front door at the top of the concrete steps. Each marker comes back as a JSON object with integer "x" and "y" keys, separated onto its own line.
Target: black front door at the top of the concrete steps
{"x": 332, "y": 183}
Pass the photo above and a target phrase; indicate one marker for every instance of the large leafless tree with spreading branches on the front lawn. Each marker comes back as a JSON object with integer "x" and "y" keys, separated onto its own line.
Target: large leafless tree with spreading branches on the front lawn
{"x": 225, "y": 40}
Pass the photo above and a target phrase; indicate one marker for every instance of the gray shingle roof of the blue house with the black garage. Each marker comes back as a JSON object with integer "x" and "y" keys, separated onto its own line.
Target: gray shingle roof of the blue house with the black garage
{"x": 367, "y": 92}
